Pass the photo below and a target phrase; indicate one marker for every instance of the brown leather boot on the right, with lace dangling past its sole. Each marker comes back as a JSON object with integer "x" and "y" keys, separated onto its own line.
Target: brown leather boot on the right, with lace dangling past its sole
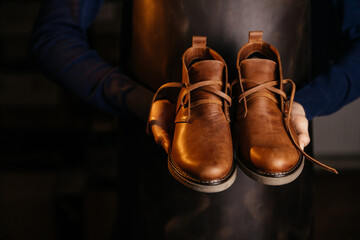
{"x": 268, "y": 149}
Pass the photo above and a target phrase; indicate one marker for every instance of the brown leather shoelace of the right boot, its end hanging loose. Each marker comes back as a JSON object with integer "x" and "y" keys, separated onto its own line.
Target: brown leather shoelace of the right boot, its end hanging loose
{"x": 270, "y": 86}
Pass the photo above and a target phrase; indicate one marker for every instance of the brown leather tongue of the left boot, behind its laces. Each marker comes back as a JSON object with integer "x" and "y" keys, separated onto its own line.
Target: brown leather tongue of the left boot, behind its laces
{"x": 204, "y": 71}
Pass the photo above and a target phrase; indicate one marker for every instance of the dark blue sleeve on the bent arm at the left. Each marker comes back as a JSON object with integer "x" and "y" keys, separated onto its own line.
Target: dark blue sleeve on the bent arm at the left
{"x": 59, "y": 44}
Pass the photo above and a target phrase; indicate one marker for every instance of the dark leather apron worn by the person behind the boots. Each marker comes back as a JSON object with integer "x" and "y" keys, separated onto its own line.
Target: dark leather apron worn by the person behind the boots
{"x": 152, "y": 204}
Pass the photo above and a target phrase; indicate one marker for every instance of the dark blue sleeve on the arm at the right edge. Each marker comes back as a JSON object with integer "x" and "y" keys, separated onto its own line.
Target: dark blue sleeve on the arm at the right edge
{"x": 340, "y": 83}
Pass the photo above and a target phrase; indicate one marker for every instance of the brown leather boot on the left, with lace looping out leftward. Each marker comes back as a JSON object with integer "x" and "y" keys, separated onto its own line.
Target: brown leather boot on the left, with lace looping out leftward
{"x": 201, "y": 156}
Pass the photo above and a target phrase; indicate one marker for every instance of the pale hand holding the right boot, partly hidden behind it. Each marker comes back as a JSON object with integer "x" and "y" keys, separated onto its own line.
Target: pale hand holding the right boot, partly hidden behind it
{"x": 301, "y": 124}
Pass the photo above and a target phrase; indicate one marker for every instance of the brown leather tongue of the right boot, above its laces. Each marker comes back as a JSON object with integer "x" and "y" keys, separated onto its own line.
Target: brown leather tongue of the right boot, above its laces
{"x": 255, "y": 71}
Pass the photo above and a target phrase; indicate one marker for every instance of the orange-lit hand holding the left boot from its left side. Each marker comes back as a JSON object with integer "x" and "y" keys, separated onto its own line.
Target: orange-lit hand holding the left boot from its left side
{"x": 161, "y": 122}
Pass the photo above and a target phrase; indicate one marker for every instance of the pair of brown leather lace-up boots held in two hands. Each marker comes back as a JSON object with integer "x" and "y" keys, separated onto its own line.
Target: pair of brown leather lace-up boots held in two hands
{"x": 201, "y": 155}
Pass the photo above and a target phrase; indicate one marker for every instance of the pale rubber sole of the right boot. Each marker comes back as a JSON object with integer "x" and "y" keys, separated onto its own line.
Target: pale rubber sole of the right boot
{"x": 272, "y": 180}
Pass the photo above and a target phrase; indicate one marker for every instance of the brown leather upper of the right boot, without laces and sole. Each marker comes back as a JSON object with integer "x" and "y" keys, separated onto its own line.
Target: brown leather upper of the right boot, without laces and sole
{"x": 264, "y": 141}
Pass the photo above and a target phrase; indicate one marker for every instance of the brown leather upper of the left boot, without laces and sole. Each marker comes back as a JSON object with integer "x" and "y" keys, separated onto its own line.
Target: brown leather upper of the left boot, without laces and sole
{"x": 202, "y": 143}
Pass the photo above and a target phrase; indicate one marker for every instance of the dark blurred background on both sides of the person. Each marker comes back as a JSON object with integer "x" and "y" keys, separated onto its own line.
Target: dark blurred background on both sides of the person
{"x": 58, "y": 155}
